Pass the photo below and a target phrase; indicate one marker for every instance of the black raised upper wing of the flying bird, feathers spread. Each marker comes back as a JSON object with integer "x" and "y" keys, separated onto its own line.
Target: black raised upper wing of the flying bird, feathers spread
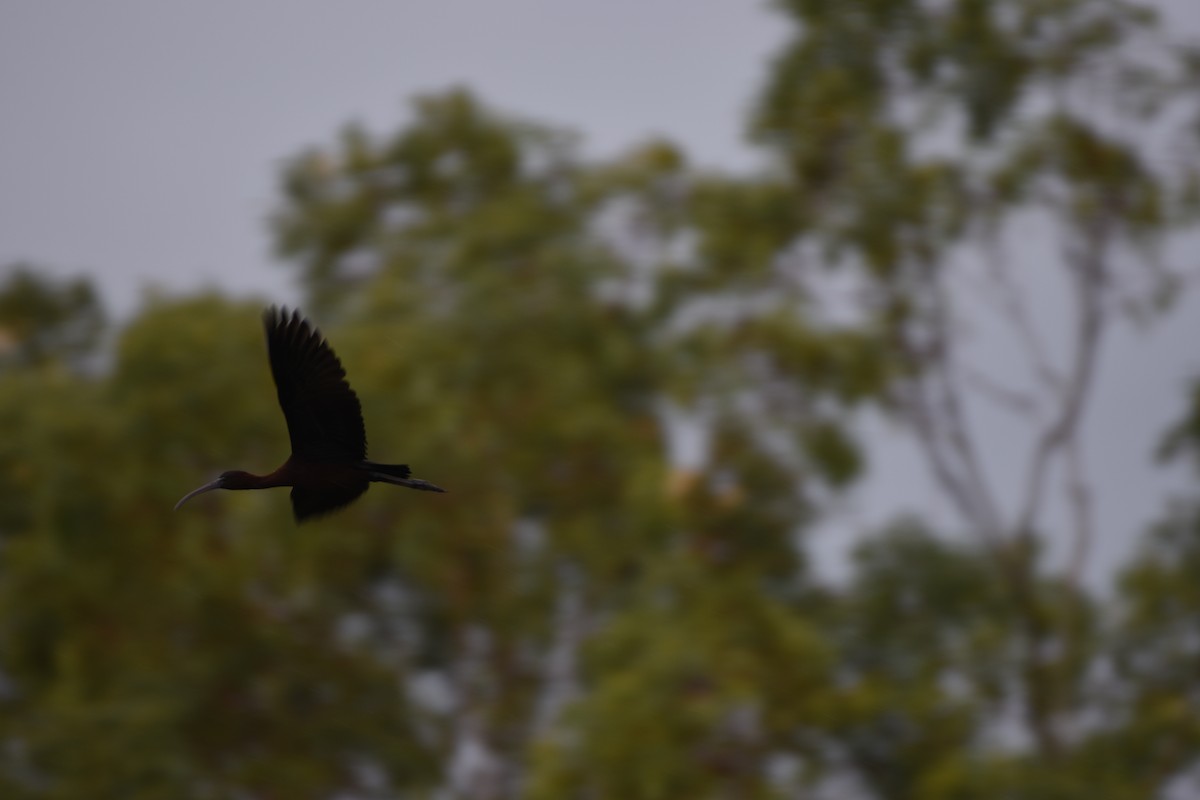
{"x": 323, "y": 413}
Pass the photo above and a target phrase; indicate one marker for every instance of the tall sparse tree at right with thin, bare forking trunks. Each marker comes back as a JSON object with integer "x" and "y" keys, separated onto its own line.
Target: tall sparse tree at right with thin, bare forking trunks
{"x": 929, "y": 147}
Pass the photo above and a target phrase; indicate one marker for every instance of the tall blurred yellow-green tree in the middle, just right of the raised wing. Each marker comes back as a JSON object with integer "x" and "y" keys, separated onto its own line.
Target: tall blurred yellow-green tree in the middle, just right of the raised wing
{"x": 485, "y": 236}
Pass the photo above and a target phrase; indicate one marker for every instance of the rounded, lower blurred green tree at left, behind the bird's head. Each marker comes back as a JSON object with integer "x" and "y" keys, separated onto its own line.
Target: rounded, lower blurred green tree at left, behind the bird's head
{"x": 154, "y": 655}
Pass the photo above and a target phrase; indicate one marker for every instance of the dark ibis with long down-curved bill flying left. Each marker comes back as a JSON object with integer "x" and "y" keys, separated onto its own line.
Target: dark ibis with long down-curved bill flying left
{"x": 328, "y": 468}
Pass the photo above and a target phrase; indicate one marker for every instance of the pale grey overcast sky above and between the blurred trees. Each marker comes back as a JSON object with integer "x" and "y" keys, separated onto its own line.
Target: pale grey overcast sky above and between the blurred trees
{"x": 141, "y": 141}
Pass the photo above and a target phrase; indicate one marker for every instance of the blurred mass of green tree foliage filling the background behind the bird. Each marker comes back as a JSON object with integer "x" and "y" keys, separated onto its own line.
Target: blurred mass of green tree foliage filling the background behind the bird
{"x": 585, "y": 615}
